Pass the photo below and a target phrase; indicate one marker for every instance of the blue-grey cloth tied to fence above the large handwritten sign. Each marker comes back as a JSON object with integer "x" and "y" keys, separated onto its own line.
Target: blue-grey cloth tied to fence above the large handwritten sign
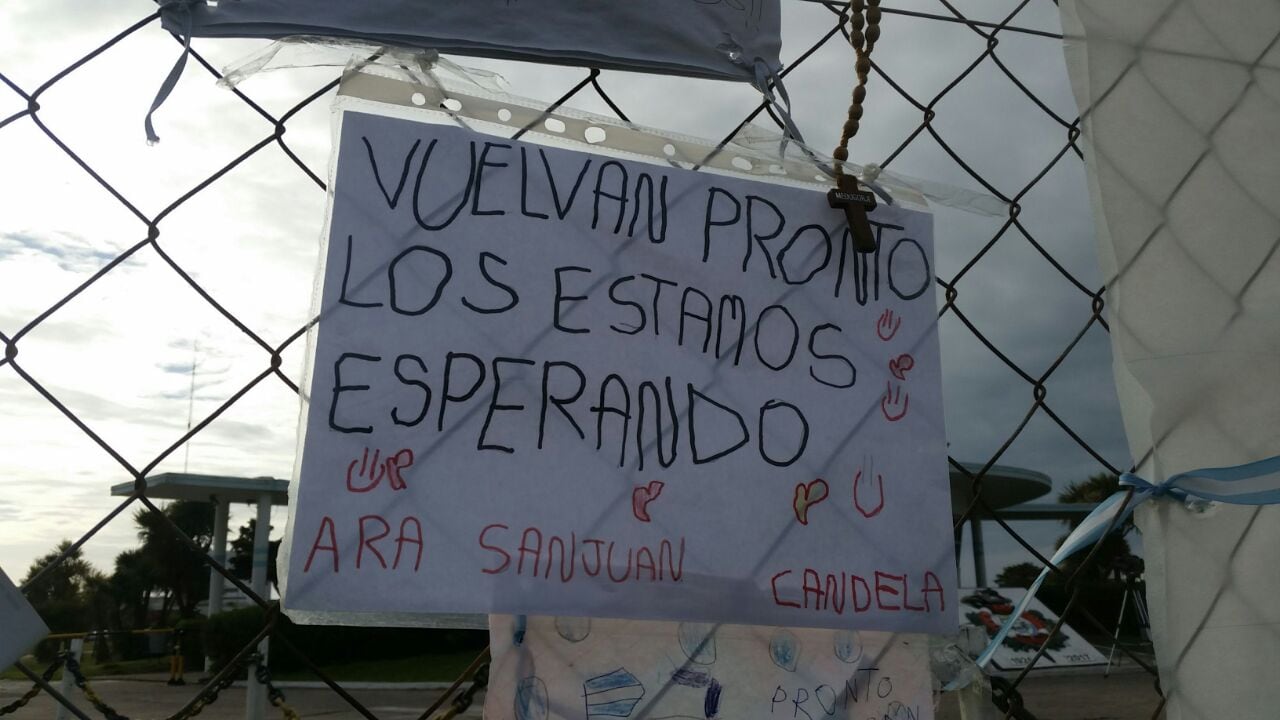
{"x": 735, "y": 40}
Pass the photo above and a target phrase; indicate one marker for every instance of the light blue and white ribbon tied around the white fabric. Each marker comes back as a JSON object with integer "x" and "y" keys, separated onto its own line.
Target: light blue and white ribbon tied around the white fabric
{"x": 1254, "y": 484}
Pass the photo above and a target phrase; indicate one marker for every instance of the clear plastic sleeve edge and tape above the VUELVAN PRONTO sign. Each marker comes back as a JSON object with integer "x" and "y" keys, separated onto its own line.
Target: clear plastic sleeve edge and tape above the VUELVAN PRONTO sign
{"x": 424, "y": 81}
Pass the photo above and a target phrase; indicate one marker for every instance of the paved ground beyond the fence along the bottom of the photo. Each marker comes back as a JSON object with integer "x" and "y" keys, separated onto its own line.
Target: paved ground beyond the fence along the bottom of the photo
{"x": 1127, "y": 696}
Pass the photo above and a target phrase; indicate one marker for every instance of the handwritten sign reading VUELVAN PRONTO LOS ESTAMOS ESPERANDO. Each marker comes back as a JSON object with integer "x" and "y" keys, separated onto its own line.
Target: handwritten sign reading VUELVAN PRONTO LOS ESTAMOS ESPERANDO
{"x": 547, "y": 381}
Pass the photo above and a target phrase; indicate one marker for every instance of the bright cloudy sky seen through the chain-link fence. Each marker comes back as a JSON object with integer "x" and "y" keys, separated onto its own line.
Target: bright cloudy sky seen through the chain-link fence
{"x": 121, "y": 354}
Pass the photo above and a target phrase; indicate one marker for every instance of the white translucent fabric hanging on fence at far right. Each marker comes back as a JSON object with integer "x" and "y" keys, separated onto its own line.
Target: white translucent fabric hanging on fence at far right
{"x": 1182, "y": 102}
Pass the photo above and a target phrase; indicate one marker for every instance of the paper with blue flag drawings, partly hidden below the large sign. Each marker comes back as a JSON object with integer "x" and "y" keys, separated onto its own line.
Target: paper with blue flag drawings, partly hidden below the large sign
{"x": 574, "y": 668}
